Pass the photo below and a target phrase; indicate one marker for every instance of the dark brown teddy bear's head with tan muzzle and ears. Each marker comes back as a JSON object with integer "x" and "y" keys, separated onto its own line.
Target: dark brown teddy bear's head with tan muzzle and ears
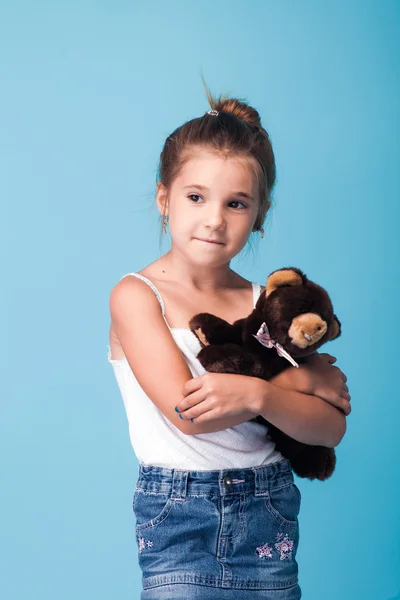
{"x": 298, "y": 312}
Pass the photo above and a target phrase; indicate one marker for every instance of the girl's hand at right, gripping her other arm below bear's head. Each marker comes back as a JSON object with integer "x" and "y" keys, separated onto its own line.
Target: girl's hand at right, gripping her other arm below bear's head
{"x": 327, "y": 381}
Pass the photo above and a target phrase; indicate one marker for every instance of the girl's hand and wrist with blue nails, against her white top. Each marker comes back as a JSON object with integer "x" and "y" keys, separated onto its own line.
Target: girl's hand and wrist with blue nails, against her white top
{"x": 217, "y": 395}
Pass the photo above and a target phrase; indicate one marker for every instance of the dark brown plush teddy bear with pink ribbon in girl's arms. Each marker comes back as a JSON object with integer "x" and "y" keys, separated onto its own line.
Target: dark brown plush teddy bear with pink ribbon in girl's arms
{"x": 292, "y": 318}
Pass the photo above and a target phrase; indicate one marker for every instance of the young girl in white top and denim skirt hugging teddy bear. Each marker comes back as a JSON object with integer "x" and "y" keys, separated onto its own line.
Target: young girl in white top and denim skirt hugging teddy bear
{"x": 215, "y": 503}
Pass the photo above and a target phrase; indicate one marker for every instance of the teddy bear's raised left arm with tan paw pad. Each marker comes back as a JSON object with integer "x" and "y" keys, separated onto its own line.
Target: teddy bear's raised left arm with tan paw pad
{"x": 210, "y": 329}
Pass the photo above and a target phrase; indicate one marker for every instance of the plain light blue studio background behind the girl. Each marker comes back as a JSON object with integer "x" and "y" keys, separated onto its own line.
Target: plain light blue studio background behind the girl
{"x": 89, "y": 92}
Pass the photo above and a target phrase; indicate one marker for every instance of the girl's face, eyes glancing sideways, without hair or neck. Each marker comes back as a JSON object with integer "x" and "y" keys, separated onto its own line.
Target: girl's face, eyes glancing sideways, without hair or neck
{"x": 213, "y": 198}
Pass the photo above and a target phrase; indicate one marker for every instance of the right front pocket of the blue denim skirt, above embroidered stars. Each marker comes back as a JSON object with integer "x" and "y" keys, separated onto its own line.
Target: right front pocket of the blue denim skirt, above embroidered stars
{"x": 283, "y": 503}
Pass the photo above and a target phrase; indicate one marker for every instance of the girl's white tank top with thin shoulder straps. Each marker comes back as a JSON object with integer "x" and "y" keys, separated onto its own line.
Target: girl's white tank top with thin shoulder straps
{"x": 157, "y": 441}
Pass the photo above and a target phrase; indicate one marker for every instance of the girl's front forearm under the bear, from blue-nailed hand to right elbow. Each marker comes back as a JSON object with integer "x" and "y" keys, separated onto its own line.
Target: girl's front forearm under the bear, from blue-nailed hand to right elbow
{"x": 217, "y": 402}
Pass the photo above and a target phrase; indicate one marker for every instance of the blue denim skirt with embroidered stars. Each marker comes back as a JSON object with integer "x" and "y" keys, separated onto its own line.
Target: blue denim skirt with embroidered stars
{"x": 229, "y": 534}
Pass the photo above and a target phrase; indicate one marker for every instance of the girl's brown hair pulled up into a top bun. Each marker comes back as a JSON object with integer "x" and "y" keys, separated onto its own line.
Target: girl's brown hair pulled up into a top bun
{"x": 235, "y": 132}
